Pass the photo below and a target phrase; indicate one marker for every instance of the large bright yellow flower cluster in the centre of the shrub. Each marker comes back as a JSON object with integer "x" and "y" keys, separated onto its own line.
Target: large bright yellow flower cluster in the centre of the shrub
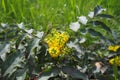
{"x": 56, "y": 42}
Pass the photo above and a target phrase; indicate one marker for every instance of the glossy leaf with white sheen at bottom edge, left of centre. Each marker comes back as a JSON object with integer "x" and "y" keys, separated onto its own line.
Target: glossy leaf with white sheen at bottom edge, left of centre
{"x": 48, "y": 73}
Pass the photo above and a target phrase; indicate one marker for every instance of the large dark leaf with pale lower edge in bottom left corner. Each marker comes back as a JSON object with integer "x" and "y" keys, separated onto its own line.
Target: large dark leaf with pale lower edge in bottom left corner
{"x": 12, "y": 61}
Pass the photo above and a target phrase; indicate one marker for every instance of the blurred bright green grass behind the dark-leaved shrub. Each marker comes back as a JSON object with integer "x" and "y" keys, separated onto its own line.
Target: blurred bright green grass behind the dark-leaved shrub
{"x": 47, "y": 13}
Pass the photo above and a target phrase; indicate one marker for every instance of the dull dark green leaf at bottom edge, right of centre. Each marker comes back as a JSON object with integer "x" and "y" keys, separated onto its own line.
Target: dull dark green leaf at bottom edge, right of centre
{"x": 74, "y": 73}
